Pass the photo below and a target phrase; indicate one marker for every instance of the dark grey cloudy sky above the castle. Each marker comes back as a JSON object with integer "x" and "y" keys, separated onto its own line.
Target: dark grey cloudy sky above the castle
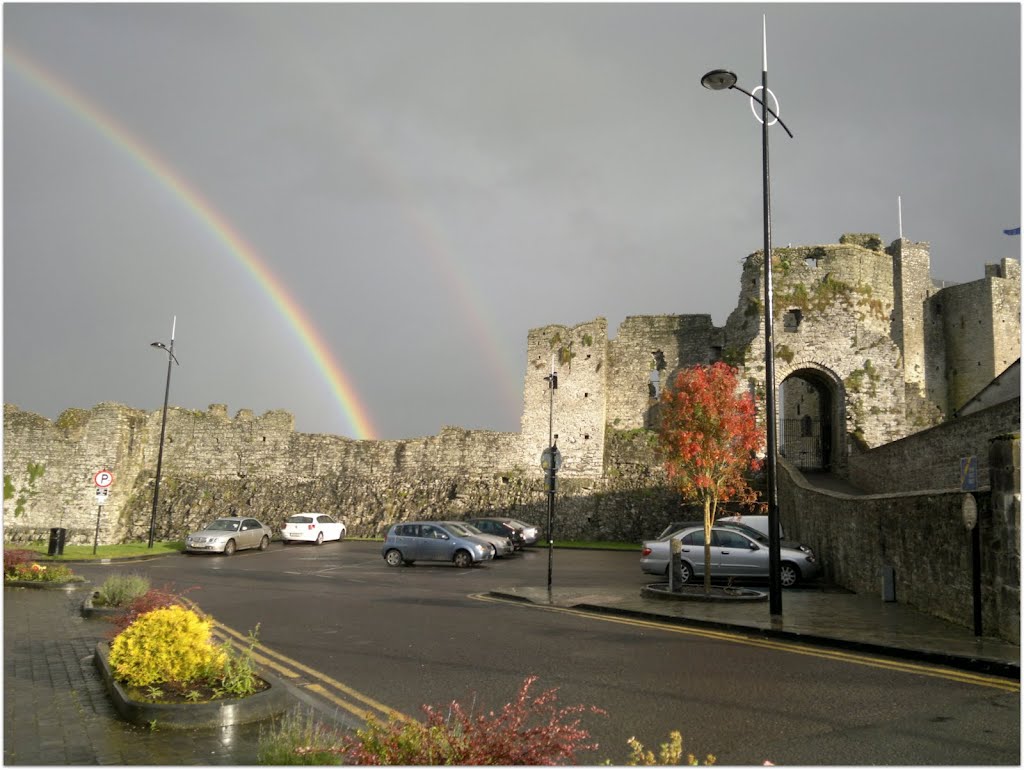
{"x": 424, "y": 184}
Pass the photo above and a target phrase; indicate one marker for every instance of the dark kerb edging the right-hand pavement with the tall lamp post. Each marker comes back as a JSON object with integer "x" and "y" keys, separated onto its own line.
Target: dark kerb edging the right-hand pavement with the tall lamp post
{"x": 962, "y": 663}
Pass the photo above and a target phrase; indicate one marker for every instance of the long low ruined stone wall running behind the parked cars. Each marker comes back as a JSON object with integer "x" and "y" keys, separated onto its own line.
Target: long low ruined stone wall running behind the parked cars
{"x": 217, "y": 466}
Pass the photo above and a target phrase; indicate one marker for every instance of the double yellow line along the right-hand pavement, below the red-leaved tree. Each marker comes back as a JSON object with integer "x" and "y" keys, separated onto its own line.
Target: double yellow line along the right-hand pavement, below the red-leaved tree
{"x": 982, "y": 680}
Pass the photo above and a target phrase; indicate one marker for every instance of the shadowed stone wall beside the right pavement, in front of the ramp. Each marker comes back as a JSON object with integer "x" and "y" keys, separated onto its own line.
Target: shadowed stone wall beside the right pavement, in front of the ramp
{"x": 922, "y": 536}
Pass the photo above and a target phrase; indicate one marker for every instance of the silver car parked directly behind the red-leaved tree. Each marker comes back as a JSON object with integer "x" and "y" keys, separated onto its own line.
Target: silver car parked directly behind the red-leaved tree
{"x": 734, "y": 554}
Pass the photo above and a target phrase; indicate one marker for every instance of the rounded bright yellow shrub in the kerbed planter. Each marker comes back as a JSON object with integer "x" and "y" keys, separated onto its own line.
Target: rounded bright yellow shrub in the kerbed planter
{"x": 172, "y": 645}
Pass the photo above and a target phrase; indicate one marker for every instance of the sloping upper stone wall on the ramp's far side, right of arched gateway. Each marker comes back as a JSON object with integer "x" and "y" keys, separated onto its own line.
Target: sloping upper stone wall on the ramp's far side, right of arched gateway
{"x": 930, "y": 460}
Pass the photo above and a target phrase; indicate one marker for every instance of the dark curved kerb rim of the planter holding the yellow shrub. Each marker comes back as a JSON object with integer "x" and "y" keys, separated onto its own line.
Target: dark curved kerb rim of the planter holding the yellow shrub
{"x": 273, "y": 701}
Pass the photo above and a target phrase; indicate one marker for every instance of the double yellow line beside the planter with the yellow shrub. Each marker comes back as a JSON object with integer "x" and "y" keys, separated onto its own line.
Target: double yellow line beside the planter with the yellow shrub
{"x": 307, "y": 678}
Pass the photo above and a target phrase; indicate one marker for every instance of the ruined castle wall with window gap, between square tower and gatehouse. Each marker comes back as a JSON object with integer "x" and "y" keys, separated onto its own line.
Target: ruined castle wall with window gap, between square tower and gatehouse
{"x": 646, "y": 355}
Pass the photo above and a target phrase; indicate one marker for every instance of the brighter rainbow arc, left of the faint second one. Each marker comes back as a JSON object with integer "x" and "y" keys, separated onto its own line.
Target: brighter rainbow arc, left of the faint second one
{"x": 342, "y": 388}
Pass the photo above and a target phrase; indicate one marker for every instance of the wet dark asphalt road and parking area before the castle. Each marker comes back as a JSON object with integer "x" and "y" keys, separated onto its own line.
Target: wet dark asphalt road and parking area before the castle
{"x": 418, "y": 635}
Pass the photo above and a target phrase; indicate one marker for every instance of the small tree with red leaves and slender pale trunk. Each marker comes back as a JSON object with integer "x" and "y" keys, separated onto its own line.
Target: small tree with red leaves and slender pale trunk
{"x": 708, "y": 438}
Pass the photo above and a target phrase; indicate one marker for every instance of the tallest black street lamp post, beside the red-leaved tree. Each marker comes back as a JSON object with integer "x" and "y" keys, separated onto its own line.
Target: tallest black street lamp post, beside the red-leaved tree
{"x": 723, "y": 80}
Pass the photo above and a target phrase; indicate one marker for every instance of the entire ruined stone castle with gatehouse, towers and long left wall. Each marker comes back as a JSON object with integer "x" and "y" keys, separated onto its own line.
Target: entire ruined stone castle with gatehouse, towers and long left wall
{"x": 870, "y": 351}
